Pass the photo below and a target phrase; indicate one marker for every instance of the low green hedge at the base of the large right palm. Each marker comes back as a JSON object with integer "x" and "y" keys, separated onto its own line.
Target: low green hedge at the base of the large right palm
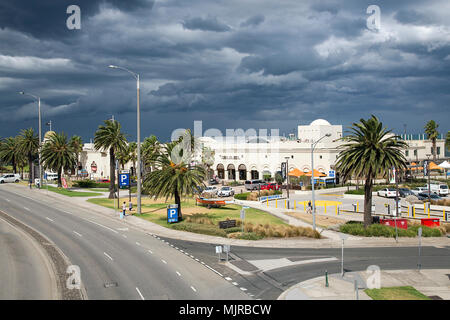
{"x": 379, "y": 230}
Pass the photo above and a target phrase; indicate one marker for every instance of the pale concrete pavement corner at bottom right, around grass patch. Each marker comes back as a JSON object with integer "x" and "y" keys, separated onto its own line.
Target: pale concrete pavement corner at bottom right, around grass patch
{"x": 430, "y": 282}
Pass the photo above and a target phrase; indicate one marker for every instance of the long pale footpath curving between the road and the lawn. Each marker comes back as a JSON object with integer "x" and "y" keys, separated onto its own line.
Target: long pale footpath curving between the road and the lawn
{"x": 149, "y": 227}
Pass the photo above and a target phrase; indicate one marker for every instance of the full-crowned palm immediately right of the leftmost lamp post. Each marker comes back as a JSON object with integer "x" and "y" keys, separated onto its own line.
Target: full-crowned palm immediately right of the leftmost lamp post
{"x": 57, "y": 154}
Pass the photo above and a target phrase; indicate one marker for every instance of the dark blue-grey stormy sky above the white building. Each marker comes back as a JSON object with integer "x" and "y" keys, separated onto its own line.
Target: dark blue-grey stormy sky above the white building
{"x": 230, "y": 63}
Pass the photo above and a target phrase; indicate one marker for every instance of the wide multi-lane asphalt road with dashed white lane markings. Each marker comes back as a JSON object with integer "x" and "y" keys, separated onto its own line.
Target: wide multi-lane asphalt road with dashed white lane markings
{"x": 116, "y": 262}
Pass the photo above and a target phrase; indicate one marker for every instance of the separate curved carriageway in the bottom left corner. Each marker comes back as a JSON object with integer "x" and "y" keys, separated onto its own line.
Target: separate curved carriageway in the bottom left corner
{"x": 26, "y": 273}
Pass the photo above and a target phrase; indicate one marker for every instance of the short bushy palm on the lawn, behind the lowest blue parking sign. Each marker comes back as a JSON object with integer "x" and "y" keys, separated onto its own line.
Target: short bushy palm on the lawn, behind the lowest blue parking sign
{"x": 172, "y": 179}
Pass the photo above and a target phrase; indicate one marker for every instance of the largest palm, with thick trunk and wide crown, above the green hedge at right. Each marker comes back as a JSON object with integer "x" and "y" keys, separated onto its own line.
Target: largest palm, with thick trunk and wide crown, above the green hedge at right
{"x": 370, "y": 150}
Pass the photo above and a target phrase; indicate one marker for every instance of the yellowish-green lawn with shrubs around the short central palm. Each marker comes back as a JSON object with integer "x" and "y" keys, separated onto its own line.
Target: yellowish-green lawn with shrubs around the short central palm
{"x": 200, "y": 219}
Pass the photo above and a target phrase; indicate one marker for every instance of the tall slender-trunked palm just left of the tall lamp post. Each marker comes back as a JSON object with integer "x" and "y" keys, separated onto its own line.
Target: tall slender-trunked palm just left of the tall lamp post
{"x": 109, "y": 137}
